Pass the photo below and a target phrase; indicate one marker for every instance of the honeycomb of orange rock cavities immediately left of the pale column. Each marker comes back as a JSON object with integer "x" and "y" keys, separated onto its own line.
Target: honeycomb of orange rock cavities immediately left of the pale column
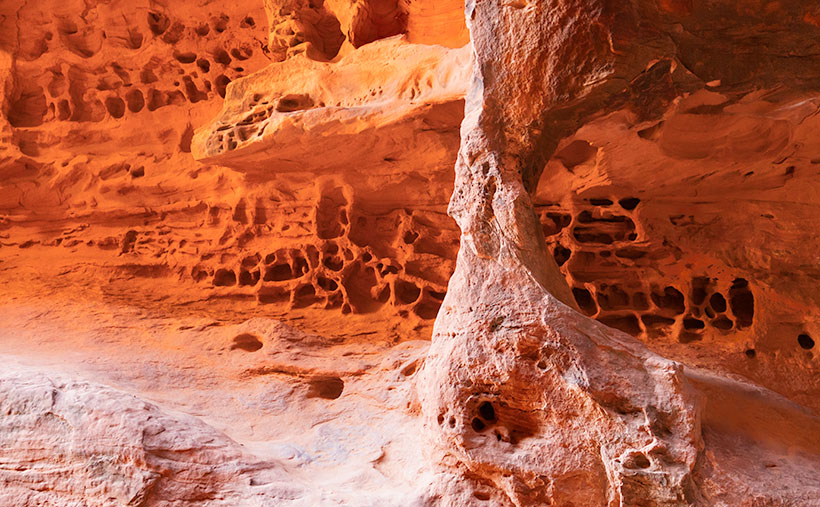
{"x": 331, "y": 255}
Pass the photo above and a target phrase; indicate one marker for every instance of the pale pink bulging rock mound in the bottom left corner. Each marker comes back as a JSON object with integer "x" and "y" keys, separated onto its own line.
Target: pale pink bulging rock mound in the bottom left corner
{"x": 72, "y": 441}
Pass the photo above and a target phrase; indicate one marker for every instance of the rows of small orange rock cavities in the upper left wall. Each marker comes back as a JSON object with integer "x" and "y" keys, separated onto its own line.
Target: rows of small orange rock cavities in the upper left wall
{"x": 160, "y": 61}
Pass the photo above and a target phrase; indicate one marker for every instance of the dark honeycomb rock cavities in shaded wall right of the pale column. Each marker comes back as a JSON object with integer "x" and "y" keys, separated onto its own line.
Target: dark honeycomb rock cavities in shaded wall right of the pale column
{"x": 603, "y": 252}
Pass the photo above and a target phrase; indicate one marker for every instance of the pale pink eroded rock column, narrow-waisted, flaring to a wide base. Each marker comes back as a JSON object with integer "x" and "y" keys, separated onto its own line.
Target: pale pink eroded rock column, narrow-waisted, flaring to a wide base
{"x": 526, "y": 401}
